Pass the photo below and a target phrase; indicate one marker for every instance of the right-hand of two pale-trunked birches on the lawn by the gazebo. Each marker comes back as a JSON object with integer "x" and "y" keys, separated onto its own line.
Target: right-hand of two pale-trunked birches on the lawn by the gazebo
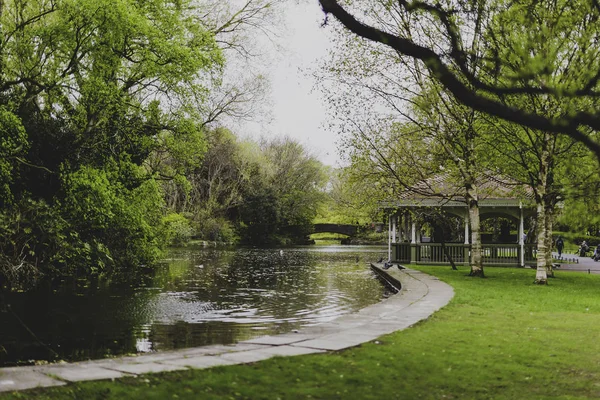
{"x": 538, "y": 154}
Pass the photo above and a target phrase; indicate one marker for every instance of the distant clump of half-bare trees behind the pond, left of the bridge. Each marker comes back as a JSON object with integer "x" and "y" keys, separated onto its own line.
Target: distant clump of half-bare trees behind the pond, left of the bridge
{"x": 256, "y": 193}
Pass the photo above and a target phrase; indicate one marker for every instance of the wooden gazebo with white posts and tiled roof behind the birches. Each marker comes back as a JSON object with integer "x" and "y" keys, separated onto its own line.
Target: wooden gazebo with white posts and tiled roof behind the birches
{"x": 497, "y": 198}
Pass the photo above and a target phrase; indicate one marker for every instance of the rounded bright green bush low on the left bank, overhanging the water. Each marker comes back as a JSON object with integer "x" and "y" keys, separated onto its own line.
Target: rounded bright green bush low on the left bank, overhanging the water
{"x": 110, "y": 224}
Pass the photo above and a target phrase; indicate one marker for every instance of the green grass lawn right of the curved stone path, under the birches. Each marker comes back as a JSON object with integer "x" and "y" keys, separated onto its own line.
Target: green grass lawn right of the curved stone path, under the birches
{"x": 499, "y": 338}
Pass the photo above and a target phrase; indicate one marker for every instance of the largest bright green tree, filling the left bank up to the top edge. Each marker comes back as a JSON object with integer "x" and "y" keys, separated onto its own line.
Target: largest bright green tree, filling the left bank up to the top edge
{"x": 94, "y": 84}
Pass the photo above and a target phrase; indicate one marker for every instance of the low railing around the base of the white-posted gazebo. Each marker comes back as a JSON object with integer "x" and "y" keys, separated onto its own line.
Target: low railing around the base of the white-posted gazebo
{"x": 507, "y": 254}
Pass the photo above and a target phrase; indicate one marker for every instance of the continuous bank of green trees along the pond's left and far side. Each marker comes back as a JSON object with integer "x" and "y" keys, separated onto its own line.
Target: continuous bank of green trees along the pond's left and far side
{"x": 110, "y": 142}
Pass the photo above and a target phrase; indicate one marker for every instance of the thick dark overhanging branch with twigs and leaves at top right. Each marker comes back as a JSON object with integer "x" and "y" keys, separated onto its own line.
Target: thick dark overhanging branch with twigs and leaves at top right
{"x": 481, "y": 80}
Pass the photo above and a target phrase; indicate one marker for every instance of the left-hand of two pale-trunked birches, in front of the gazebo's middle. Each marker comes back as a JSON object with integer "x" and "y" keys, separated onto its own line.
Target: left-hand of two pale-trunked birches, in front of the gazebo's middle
{"x": 392, "y": 87}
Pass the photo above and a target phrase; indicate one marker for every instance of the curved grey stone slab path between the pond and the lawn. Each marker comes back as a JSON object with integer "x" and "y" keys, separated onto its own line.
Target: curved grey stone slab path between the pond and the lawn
{"x": 420, "y": 296}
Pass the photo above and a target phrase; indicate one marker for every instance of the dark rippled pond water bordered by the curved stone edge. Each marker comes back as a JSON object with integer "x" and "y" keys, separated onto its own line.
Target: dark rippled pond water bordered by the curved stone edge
{"x": 196, "y": 297}
